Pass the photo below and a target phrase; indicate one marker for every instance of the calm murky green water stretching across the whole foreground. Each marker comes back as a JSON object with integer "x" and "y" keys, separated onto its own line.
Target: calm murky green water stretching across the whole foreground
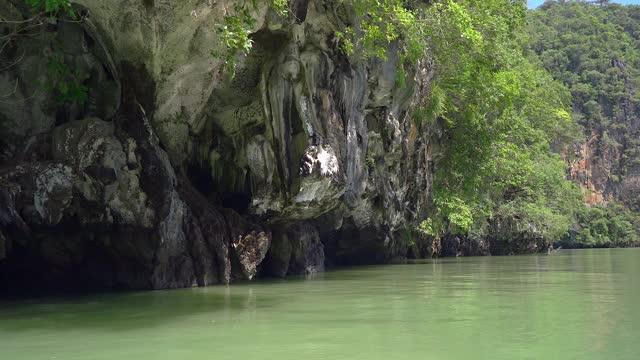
{"x": 582, "y": 304}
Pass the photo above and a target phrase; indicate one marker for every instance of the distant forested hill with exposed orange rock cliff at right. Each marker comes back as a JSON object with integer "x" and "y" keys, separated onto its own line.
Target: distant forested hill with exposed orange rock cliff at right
{"x": 595, "y": 51}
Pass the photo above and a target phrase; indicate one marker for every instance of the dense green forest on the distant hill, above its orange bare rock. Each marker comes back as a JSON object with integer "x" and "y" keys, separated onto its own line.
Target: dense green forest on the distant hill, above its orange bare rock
{"x": 595, "y": 52}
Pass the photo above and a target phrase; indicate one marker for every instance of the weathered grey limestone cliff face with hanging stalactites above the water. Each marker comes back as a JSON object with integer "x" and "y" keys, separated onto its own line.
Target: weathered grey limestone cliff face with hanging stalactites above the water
{"x": 173, "y": 174}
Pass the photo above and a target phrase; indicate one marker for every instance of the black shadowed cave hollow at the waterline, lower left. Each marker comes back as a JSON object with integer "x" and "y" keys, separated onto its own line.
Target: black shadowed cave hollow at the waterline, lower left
{"x": 69, "y": 260}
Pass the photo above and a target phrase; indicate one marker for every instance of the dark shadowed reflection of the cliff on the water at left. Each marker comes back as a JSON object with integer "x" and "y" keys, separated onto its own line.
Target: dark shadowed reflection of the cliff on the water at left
{"x": 128, "y": 311}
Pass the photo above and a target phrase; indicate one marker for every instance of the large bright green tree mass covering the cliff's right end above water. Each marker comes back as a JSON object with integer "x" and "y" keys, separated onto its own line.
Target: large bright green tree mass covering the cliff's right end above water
{"x": 501, "y": 112}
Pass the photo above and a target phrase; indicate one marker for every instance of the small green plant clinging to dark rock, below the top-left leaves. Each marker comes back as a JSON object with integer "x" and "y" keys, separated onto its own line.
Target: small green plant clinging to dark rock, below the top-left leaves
{"x": 64, "y": 83}
